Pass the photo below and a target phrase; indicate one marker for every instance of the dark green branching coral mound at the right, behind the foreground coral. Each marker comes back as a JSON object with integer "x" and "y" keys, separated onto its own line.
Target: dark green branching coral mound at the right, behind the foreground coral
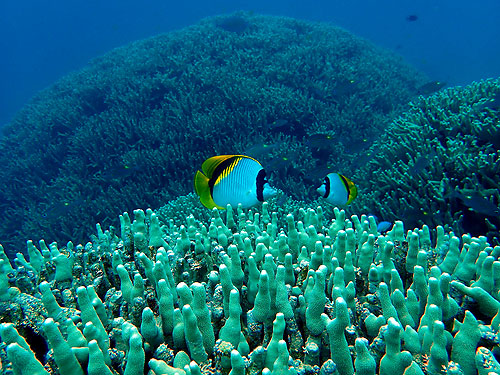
{"x": 439, "y": 163}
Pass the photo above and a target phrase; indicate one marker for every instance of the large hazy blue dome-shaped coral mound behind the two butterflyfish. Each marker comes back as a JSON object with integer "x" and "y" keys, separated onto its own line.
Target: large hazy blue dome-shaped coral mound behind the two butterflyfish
{"x": 131, "y": 128}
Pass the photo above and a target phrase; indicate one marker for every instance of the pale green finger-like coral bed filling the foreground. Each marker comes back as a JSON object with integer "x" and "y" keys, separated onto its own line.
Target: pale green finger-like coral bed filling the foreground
{"x": 253, "y": 292}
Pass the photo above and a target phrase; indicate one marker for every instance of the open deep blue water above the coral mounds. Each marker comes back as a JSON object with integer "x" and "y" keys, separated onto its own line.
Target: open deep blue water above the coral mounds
{"x": 455, "y": 41}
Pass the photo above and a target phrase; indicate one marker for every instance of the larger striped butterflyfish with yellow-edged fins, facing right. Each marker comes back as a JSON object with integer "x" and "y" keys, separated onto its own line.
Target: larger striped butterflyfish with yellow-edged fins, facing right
{"x": 232, "y": 179}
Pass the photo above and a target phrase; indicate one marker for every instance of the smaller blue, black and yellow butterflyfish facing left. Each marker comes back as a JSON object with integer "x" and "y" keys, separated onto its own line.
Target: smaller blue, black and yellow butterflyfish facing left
{"x": 338, "y": 189}
